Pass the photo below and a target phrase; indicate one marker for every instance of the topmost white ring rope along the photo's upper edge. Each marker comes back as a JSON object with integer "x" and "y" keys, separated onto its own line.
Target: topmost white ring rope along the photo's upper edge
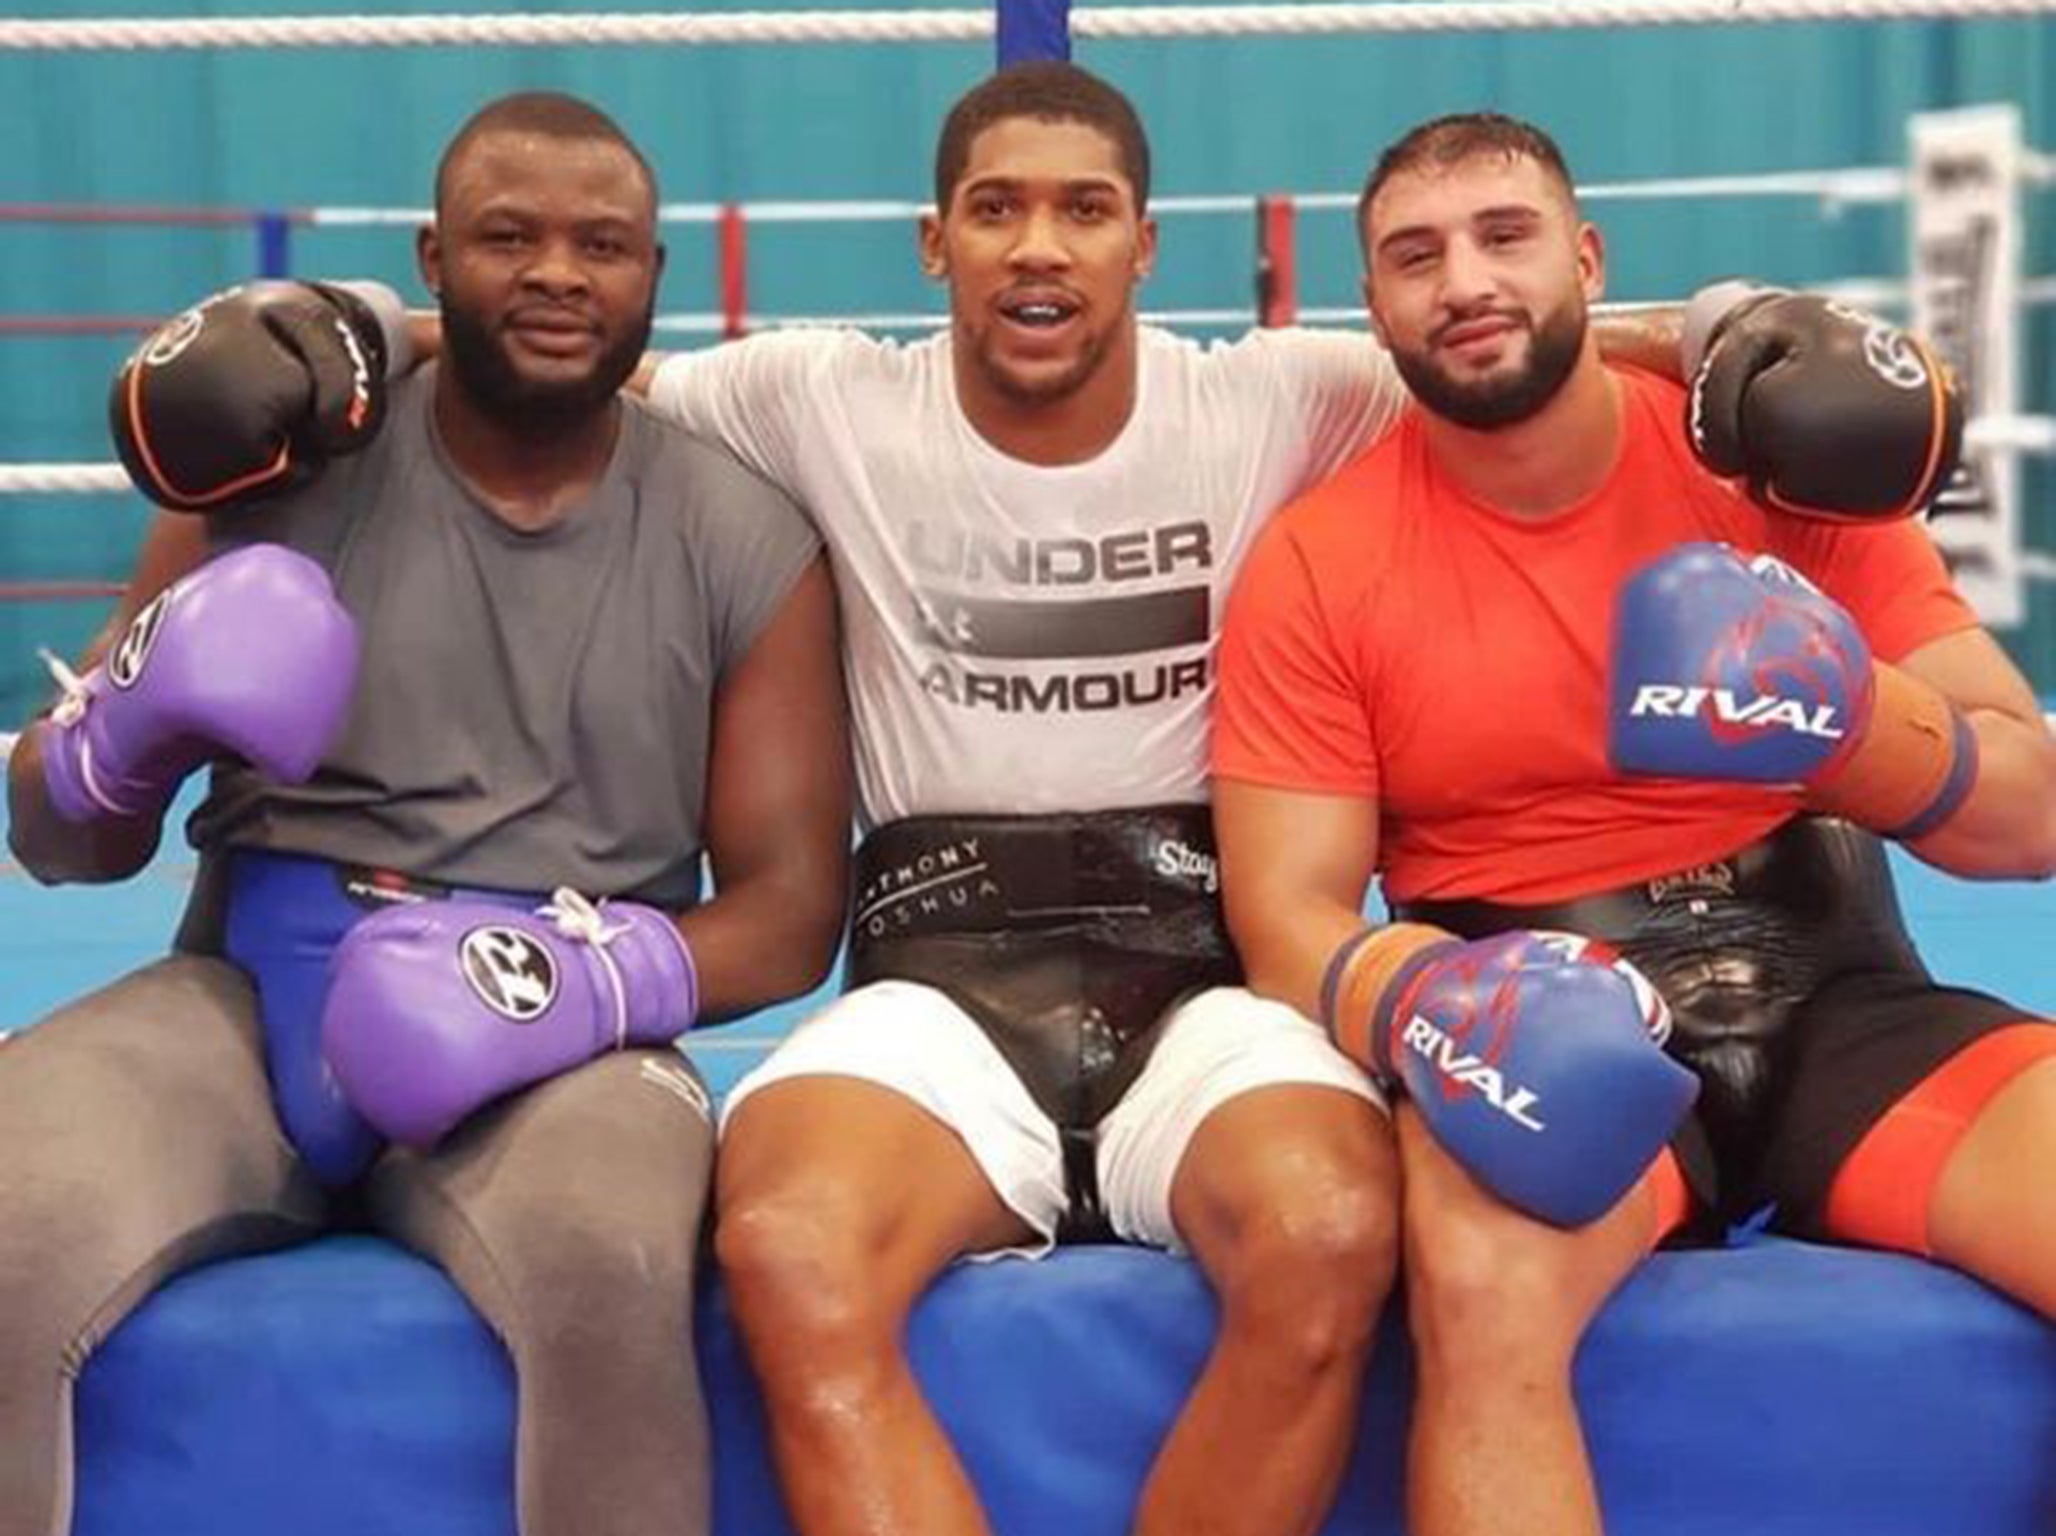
{"x": 957, "y": 26}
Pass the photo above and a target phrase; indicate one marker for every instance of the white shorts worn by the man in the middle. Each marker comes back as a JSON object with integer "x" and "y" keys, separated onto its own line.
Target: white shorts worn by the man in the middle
{"x": 918, "y": 1044}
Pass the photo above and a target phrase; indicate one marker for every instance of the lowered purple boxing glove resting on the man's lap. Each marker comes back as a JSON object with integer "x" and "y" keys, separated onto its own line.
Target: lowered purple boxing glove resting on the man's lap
{"x": 439, "y": 1009}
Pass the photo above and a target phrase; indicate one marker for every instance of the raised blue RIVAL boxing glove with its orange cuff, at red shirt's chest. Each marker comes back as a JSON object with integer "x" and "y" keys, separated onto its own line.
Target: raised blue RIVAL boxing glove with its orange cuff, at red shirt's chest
{"x": 1732, "y": 667}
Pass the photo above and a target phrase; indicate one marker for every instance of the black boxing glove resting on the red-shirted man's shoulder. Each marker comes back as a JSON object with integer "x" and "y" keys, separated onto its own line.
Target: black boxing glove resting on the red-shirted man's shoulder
{"x": 1825, "y": 410}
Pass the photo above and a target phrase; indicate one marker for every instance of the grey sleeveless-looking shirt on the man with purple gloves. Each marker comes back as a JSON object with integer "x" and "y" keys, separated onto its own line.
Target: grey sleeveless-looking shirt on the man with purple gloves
{"x": 534, "y": 708}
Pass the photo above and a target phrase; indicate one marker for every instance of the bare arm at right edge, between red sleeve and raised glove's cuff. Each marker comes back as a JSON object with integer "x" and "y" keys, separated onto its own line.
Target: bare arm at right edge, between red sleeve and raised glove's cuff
{"x": 2008, "y": 826}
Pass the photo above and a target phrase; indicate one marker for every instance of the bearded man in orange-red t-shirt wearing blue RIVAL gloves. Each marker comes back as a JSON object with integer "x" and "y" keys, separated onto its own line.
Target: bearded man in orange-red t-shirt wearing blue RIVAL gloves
{"x": 1543, "y": 673}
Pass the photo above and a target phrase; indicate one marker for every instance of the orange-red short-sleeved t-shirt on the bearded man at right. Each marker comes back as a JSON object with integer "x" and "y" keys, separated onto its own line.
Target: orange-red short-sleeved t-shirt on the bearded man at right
{"x": 1391, "y": 638}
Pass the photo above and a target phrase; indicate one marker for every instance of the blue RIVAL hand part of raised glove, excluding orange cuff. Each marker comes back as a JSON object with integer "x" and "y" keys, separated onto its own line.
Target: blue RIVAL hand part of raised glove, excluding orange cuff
{"x": 1730, "y": 669}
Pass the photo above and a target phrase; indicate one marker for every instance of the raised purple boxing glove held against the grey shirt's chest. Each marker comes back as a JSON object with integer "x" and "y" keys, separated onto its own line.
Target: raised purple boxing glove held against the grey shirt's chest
{"x": 252, "y": 655}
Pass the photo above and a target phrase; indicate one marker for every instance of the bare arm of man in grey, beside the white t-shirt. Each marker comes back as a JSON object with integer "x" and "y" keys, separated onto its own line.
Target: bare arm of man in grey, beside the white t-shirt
{"x": 778, "y": 813}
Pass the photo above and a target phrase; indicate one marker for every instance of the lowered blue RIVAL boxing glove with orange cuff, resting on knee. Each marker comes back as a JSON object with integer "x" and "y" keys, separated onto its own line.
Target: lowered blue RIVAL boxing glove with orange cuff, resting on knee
{"x": 1535, "y": 1060}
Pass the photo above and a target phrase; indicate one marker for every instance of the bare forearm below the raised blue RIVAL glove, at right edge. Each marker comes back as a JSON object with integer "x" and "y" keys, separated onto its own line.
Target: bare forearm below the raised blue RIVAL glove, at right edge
{"x": 2008, "y": 826}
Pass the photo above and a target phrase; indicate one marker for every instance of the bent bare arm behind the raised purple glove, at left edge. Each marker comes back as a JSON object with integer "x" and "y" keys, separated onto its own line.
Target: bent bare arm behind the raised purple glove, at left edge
{"x": 50, "y": 848}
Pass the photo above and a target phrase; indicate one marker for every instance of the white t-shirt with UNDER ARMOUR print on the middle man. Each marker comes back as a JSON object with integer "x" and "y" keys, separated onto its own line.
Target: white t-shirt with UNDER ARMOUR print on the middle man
{"x": 1029, "y": 638}
